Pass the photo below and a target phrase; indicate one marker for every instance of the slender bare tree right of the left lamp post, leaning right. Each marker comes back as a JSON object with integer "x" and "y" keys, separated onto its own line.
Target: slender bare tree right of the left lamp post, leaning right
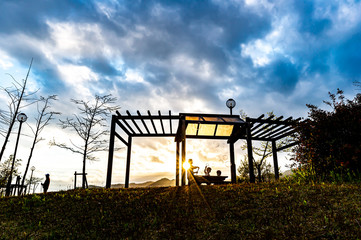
{"x": 42, "y": 120}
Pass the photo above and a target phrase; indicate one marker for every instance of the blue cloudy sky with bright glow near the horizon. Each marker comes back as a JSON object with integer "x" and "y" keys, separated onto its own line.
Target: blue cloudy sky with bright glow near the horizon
{"x": 183, "y": 56}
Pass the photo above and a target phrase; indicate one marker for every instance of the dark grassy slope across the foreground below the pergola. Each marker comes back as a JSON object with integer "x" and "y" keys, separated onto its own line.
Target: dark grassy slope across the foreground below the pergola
{"x": 246, "y": 211}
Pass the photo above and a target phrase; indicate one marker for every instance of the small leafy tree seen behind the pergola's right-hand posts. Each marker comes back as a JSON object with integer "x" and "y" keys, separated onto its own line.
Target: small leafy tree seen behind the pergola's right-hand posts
{"x": 263, "y": 151}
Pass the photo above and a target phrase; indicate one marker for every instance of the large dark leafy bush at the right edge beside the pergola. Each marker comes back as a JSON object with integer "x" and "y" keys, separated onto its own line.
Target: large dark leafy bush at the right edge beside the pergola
{"x": 330, "y": 140}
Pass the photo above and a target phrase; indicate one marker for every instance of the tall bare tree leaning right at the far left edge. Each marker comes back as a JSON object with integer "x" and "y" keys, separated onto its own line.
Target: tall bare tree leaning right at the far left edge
{"x": 17, "y": 95}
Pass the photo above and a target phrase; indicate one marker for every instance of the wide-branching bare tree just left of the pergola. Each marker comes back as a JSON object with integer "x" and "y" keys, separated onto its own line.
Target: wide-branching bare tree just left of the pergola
{"x": 89, "y": 125}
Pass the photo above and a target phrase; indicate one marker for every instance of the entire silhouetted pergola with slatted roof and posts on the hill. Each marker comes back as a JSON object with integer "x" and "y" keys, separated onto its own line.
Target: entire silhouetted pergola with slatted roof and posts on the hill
{"x": 201, "y": 126}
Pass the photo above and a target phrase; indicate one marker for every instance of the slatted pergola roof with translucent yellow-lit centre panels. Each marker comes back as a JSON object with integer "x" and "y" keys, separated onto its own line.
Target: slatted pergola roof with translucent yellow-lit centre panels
{"x": 208, "y": 126}
